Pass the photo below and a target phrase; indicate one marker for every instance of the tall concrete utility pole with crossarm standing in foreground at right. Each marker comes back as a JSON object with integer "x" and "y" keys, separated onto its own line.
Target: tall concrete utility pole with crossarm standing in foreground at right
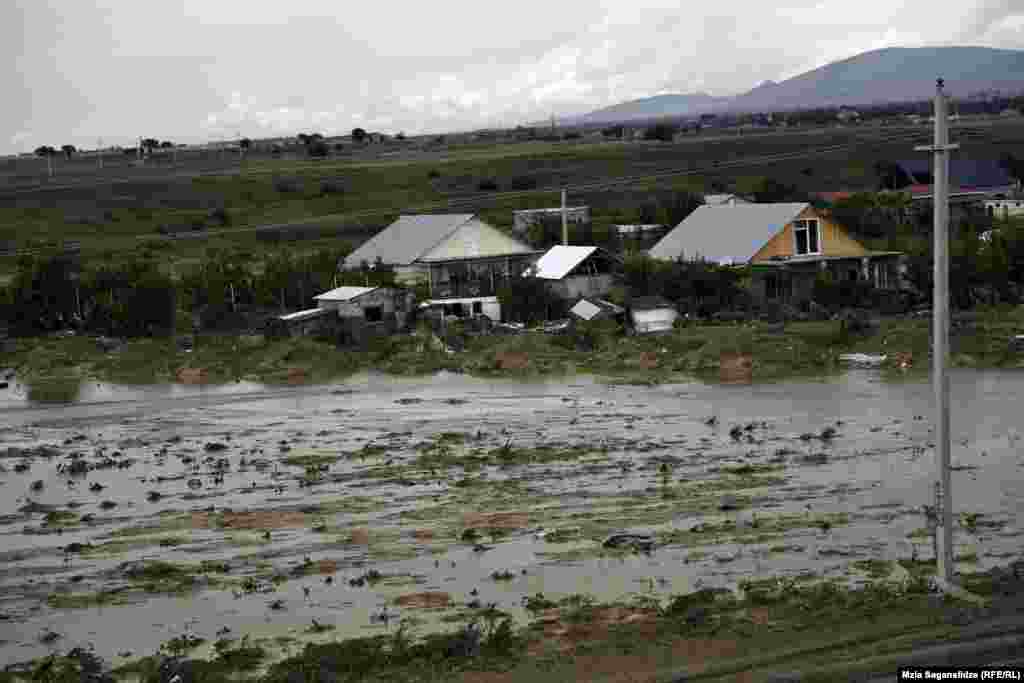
{"x": 941, "y": 334}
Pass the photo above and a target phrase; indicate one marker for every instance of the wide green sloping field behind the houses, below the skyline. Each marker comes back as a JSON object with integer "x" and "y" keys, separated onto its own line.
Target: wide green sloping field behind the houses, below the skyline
{"x": 352, "y": 196}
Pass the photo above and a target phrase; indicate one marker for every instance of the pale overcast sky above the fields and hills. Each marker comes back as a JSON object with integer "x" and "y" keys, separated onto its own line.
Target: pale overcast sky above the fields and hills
{"x": 198, "y": 70}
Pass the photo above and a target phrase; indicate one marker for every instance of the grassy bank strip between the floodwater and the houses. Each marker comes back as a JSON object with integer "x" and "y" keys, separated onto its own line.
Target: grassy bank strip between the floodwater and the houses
{"x": 804, "y": 350}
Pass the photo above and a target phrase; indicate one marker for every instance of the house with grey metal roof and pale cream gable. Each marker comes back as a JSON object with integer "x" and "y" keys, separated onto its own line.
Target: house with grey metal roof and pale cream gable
{"x": 461, "y": 260}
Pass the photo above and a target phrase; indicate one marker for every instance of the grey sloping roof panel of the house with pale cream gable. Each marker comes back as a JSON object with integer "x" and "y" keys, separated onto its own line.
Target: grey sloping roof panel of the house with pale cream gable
{"x": 408, "y": 239}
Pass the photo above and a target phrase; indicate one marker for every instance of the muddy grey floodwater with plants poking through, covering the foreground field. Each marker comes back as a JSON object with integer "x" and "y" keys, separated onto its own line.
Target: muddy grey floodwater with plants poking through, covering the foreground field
{"x": 386, "y": 514}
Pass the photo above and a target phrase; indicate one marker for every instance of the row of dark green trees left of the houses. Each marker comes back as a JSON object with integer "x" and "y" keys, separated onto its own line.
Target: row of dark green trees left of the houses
{"x": 138, "y": 296}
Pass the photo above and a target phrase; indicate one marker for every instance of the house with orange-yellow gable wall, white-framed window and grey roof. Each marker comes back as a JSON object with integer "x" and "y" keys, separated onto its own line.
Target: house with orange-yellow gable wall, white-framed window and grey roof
{"x": 786, "y": 245}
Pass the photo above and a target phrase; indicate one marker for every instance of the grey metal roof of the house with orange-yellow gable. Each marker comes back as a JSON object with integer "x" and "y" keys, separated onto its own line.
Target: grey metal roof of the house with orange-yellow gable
{"x": 729, "y": 234}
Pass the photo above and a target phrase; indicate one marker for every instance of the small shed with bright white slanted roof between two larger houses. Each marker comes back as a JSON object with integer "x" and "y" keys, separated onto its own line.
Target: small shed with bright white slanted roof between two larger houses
{"x": 576, "y": 272}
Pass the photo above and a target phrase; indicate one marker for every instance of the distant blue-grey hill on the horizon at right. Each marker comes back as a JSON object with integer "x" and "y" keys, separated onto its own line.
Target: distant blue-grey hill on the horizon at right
{"x": 895, "y": 74}
